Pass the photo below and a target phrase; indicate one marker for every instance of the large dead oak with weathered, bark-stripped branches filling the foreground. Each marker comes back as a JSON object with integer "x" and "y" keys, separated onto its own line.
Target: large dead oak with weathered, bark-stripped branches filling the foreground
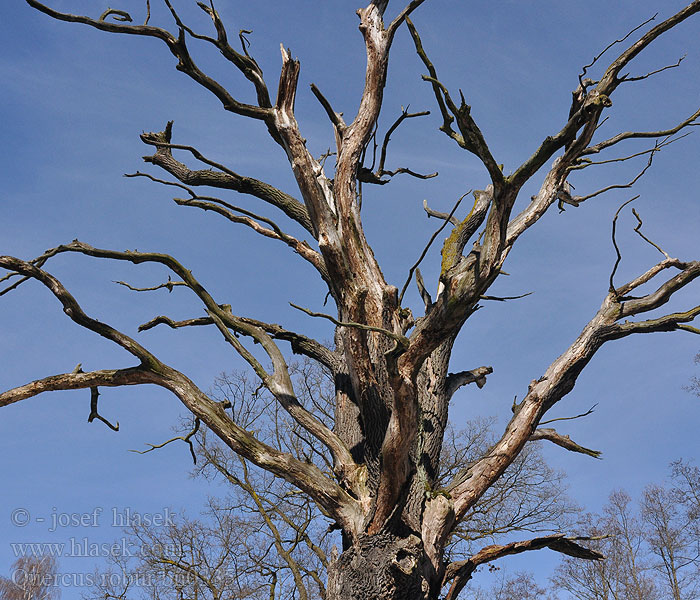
{"x": 390, "y": 369}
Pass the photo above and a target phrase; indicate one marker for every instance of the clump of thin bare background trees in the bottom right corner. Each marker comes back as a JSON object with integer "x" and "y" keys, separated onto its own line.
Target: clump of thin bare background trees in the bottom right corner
{"x": 652, "y": 553}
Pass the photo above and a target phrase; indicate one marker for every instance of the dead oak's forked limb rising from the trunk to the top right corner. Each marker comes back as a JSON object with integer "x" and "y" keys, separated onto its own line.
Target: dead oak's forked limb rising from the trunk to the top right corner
{"x": 472, "y": 274}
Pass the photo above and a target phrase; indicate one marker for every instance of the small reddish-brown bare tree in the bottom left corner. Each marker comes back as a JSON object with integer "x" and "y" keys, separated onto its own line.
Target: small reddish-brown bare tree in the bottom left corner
{"x": 32, "y": 578}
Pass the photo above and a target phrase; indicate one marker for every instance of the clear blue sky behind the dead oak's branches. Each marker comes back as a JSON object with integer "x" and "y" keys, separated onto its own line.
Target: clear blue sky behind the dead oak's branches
{"x": 73, "y": 105}
